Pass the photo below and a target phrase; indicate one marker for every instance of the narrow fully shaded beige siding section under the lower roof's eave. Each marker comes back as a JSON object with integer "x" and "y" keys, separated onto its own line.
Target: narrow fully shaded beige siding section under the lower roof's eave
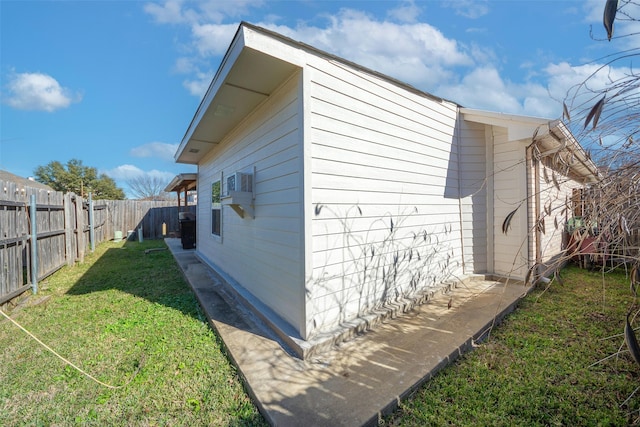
{"x": 510, "y": 192}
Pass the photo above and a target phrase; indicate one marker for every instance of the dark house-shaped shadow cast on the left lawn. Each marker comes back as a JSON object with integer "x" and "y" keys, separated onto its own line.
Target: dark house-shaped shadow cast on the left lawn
{"x": 134, "y": 269}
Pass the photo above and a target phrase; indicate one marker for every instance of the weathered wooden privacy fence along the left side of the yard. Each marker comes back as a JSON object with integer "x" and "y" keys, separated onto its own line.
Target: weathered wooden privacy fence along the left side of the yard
{"x": 43, "y": 230}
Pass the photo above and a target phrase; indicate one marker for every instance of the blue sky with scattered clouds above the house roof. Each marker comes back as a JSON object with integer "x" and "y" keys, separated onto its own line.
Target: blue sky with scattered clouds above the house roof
{"x": 116, "y": 83}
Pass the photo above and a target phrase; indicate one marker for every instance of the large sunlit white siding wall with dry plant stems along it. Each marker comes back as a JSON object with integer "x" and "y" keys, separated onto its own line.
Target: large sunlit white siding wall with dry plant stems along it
{"x": 386, "y": 218}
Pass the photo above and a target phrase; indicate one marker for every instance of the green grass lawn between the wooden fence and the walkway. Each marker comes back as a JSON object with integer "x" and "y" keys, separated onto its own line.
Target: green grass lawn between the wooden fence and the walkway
{"x": 127, "y": 319}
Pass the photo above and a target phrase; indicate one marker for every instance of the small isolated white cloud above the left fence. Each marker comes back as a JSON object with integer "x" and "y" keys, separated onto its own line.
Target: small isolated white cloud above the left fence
{"x": 38, "y": 92}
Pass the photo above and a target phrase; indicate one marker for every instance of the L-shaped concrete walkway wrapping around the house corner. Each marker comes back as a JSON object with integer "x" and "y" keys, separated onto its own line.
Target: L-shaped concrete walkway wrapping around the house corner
{"x": 364, "y": 378}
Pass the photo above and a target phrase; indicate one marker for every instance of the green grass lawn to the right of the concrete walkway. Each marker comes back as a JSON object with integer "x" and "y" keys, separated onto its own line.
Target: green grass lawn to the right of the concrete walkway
{"x": 535, "y": 370}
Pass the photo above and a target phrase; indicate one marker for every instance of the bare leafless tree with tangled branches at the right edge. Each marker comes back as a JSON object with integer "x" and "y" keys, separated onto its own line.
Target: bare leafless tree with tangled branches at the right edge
{"x": 603, "y": 112}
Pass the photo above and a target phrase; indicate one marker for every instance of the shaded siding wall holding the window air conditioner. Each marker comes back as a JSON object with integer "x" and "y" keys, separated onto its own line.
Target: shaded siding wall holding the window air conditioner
{"x": 264, "y": 254}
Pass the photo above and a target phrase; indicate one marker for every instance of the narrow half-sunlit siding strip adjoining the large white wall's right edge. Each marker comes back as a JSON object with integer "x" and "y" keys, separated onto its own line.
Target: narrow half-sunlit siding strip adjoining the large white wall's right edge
{"x": 474, "y": 180}
